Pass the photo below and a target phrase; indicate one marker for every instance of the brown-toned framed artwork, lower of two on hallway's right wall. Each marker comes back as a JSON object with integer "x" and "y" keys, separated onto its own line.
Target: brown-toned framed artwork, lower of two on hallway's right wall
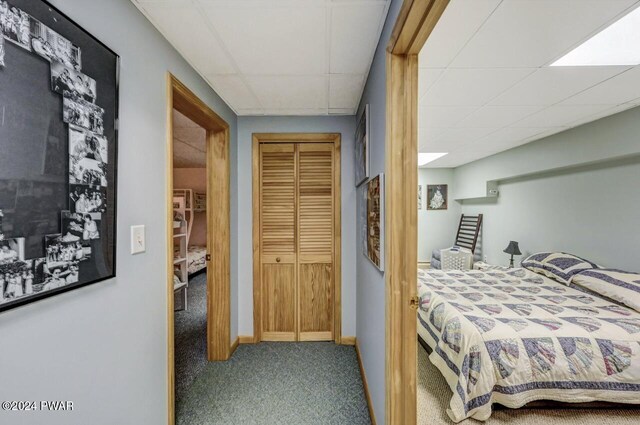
{"x": 375, "y": 221}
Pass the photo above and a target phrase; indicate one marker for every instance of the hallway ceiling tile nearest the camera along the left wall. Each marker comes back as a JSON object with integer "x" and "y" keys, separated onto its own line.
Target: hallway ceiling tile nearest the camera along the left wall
{"x": 190, "y": 35}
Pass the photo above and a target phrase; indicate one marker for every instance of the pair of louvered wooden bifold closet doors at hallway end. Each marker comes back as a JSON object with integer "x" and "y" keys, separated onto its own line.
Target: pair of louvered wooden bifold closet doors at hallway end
{"x": 298, "y": 218}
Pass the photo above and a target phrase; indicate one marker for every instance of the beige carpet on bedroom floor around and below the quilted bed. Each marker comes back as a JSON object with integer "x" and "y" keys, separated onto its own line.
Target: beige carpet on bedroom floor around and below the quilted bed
{"x": 434, "y": 396}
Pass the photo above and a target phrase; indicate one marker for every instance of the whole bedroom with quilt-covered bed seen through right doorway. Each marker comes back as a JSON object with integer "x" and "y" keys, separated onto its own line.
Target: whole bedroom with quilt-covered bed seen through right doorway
{"x": 532, "y": 133}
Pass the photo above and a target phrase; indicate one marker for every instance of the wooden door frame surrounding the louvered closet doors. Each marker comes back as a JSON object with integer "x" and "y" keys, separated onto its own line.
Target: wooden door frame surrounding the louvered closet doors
{"x": 334, "y": 138}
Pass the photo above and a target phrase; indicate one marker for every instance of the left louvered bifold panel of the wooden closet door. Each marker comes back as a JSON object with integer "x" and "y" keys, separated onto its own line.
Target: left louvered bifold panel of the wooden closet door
{"x": 278, "y": 241}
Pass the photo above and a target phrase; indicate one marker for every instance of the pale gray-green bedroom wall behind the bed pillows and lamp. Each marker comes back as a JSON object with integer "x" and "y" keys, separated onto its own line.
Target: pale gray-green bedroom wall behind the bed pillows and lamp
{"x": 590, "y": 210}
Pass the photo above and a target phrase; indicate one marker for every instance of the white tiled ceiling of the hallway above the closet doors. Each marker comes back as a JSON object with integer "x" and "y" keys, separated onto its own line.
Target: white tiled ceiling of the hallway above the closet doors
{"x": 276, "y": 57}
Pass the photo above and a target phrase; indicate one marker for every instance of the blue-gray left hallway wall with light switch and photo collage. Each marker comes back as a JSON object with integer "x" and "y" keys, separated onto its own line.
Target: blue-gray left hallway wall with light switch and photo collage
{"x": 105, "y": 346}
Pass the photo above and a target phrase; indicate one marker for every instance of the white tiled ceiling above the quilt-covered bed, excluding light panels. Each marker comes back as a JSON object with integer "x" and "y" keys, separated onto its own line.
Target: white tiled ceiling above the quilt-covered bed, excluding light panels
{"x": 485, "y": 82}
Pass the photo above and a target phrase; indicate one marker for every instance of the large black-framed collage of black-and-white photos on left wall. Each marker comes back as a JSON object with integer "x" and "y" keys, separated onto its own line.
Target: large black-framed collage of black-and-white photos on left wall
{"x": 60, "y": 40}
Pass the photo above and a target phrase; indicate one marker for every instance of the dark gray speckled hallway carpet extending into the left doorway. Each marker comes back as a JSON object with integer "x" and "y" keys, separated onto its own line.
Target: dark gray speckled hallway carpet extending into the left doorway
{"x": 268, "y": 383}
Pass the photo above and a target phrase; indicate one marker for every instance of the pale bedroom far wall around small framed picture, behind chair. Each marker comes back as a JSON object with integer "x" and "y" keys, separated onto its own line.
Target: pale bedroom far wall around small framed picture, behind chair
{"x": 436, "y": 228}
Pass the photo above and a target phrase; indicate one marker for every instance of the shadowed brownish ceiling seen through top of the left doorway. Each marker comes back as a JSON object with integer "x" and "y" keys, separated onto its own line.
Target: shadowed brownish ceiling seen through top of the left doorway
{"x": 189, "y": 143}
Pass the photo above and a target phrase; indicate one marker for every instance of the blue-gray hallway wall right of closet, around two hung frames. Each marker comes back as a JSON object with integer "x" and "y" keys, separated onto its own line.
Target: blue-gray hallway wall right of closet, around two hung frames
{"x": 371, "y": 286}
